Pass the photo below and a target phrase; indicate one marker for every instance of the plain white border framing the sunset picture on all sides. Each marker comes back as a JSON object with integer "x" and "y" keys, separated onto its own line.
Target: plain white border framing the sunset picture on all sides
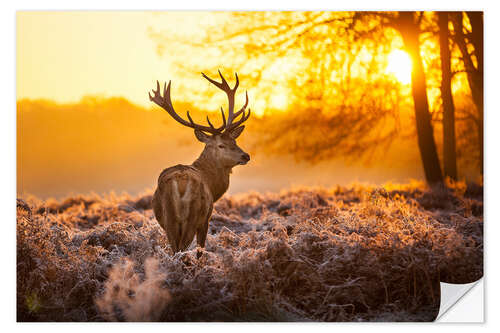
{"x": 8, "y": 132}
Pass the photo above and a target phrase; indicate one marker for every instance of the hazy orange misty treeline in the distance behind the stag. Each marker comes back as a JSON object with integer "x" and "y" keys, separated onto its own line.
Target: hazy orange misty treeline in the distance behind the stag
{"x": 104, "y": 144}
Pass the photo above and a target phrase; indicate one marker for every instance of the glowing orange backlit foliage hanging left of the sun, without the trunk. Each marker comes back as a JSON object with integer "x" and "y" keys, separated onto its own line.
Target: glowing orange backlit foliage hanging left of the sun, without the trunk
{"x": 341, "y": 103}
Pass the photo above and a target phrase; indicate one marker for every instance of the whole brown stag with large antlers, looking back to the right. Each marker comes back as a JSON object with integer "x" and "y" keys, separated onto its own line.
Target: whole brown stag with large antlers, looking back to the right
{"x": 185, "y": 195}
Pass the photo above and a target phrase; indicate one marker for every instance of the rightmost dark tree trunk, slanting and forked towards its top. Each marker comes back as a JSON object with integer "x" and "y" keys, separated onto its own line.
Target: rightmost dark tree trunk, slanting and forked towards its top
{"x": 474, "y": 74}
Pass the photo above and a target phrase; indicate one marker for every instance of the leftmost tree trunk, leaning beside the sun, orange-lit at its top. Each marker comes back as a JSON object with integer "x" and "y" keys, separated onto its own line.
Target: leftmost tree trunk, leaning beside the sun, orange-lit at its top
{"x": 409, "y": 30}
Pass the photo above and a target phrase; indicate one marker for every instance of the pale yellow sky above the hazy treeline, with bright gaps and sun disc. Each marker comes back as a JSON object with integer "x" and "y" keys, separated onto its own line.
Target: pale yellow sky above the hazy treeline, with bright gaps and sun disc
{"x": 63, "y": 56}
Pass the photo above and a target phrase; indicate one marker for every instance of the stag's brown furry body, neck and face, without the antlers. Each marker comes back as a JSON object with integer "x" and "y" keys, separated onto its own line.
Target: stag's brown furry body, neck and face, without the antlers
{"x": 184, "y": 198}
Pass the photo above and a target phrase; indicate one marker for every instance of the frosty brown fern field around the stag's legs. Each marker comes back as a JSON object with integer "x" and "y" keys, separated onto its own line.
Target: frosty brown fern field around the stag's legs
{"x": 357, "y": 253}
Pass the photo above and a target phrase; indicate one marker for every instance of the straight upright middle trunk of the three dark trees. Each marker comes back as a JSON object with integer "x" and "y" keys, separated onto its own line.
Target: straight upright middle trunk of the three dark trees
{"x": 449, "y": 146}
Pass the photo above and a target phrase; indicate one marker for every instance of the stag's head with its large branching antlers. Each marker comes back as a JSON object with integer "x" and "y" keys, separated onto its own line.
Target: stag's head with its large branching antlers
{"x": 220, "y": 142}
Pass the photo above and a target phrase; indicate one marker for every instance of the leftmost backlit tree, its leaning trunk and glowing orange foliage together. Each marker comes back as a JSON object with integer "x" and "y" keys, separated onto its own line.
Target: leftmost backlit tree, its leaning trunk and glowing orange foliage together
{"x": 334, "y": 42}
